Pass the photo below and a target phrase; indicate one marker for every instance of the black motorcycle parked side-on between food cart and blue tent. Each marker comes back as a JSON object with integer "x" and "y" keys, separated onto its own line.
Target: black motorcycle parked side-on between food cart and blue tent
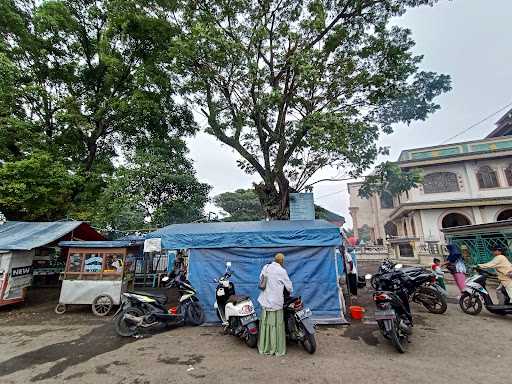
{"x": 142, "y": 310}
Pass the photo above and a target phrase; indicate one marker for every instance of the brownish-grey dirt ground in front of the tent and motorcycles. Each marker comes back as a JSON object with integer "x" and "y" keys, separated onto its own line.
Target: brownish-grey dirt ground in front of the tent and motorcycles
{"x": 37, "y": 345}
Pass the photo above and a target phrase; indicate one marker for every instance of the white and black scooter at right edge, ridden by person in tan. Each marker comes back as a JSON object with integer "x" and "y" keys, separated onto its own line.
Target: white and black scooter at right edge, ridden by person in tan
{"x": 475, "y": 292}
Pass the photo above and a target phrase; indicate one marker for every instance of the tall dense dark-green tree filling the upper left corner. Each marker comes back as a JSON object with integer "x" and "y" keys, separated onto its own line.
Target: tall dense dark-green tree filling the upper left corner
{"x": 87, "y": 83}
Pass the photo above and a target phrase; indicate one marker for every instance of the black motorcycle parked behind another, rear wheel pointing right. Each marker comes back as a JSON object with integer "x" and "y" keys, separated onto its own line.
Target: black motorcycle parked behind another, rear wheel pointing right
{"x": 426, "y": 290}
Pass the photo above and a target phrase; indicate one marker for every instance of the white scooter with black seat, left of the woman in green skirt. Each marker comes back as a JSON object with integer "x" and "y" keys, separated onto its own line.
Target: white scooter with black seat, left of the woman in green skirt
{"x": 235, "y": 311}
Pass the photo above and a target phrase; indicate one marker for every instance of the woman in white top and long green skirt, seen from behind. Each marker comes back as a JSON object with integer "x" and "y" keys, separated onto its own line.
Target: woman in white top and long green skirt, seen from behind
{"x": 273, "y": 281}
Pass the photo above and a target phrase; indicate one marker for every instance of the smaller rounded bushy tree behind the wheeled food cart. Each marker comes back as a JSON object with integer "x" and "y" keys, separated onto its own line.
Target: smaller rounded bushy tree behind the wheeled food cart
{"x": 156, "y": 188}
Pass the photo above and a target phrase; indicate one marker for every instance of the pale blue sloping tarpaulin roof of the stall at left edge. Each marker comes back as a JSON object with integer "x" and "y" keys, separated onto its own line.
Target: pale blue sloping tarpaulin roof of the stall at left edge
{"x": 24, "y": 236}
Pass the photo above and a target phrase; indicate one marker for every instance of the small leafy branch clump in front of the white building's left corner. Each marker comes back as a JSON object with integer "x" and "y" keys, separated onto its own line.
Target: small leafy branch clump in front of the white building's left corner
{"x": 389, "y": 177}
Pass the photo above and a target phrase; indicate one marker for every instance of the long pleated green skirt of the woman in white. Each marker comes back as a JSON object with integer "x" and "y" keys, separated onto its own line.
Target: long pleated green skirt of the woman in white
{"x": 272, "y": 337}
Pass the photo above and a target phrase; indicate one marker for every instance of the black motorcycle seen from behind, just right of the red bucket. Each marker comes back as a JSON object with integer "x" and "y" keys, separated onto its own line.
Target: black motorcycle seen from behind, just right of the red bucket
{"x": 393, "y": 314}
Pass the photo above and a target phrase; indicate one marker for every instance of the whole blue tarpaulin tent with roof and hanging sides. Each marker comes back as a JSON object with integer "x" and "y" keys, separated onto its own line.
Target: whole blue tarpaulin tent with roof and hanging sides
{"x": 310, "y": 259}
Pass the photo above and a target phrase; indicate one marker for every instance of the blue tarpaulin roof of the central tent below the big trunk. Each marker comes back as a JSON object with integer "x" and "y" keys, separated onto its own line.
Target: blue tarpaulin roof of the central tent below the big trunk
{"x": 249, "y": 234}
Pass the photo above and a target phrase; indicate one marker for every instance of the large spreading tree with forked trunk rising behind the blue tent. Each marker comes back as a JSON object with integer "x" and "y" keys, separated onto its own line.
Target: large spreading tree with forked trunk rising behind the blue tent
{"x": 294, "y": 86}
